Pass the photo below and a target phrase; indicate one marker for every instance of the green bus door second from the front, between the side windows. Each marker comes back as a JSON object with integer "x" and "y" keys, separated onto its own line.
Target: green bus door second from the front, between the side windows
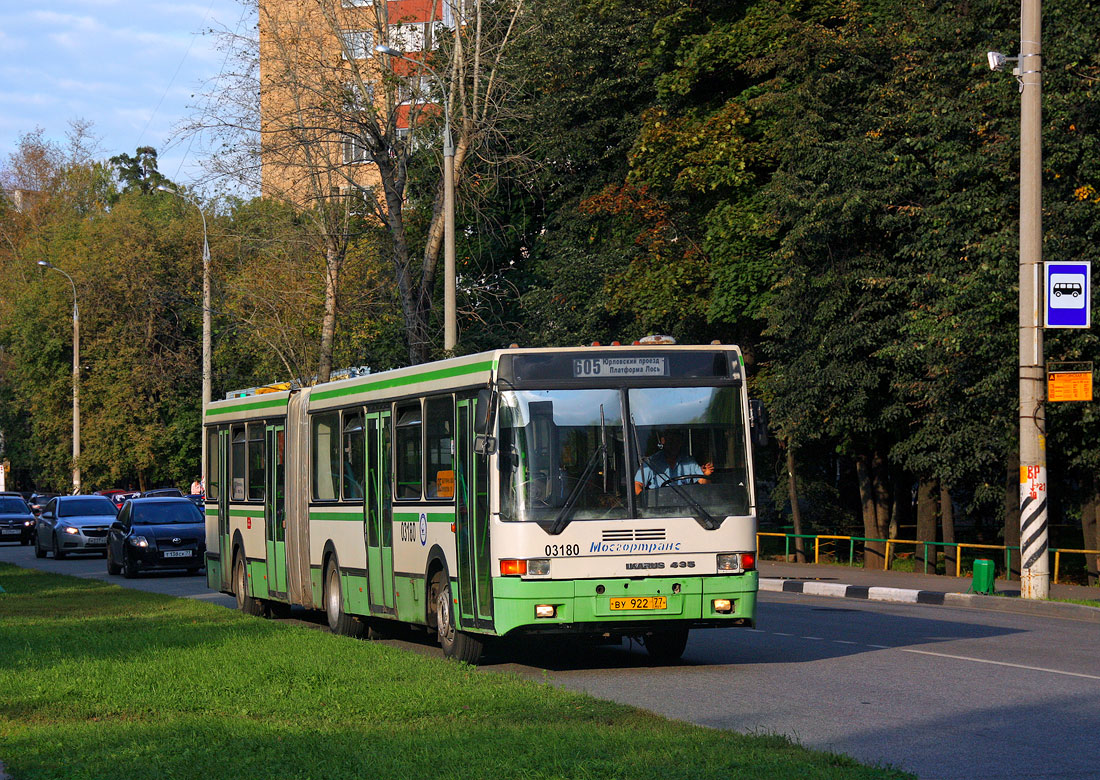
{"x": 378, "y": 526}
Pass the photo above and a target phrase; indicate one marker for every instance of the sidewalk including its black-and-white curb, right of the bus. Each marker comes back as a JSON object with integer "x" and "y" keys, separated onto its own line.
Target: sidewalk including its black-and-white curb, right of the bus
{"x": 905, "y": 588}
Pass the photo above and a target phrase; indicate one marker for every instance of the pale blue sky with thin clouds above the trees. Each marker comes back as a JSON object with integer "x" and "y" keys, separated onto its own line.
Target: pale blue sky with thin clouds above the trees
{"x": 133, "y": 69}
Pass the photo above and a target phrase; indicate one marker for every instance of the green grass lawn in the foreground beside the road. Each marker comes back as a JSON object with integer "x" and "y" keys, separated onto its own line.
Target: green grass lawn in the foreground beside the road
{"x": 100, "y": 682}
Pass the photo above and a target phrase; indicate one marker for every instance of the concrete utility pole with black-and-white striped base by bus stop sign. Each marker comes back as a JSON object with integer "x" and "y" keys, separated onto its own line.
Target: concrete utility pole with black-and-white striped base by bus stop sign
{"x": 1035, "y": 558}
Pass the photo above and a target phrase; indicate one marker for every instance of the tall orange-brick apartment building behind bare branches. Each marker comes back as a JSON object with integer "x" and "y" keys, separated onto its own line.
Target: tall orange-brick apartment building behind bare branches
{"x": 322, "y": 94}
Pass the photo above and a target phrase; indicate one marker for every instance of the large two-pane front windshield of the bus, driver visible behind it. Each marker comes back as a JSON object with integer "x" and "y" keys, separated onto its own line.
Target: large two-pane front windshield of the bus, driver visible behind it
{"x": 596, "y": 454}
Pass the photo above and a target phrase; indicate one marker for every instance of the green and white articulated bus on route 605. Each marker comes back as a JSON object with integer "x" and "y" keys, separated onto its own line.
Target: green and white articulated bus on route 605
{"x": 604, "y": 492}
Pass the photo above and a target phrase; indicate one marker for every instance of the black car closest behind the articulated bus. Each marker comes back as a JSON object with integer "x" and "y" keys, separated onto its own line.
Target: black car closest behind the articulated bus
{"x": 157, "y": 534}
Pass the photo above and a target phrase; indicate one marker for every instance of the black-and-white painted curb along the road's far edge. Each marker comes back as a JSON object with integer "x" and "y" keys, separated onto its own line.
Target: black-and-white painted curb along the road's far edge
{"x": 901, "y": 596}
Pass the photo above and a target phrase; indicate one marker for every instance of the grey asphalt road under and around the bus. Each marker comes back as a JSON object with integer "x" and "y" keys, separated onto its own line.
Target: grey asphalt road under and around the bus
{"x": 939, "y": 691}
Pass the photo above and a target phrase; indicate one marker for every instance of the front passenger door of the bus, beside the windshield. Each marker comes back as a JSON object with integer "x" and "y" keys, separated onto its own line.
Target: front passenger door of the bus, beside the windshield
{"x": 476, "y": 583}
